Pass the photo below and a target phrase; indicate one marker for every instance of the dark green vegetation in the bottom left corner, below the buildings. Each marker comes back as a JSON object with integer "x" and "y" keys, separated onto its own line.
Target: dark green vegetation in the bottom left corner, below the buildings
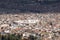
{"x": 10, "y": 37}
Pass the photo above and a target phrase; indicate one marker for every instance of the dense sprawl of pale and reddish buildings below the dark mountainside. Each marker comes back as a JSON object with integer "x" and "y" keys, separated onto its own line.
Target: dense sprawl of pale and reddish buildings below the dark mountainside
{"x": 47, "y": 26}
